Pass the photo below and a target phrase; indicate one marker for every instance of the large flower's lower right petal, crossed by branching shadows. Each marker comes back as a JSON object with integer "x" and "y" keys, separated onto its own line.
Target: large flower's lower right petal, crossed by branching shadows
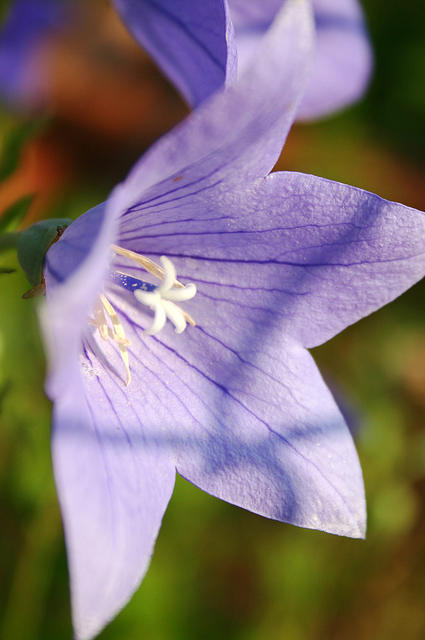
{"x": 249, "y": 418}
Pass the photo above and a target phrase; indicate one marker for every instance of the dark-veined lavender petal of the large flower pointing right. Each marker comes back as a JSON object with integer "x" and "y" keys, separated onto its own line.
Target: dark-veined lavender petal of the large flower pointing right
{"x": 317, "y": 254}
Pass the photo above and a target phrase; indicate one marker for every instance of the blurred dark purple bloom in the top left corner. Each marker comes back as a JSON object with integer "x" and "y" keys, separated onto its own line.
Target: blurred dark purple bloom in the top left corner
{"x": 27, "y": 25}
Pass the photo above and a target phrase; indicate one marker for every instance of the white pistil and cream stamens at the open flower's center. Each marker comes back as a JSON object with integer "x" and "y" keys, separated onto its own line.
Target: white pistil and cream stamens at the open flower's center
{"x": 161, "y": 299}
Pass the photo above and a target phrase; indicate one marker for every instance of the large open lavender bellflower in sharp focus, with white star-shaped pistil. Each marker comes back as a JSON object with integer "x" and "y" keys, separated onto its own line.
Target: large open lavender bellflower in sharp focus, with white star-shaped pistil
{"x": 263, "y": 267}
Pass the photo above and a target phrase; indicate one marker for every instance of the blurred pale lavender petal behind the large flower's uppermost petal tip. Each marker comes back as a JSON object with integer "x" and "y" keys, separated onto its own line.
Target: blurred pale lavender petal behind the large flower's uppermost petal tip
{"x": 342, "y": 60}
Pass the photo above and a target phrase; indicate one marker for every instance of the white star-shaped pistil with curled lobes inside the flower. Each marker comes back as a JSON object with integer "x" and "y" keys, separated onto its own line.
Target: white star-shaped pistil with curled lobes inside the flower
{"x": 162, "y": 300}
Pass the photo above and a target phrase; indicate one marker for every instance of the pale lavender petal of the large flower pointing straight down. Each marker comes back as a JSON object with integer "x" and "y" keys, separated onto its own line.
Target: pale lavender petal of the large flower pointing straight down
{"x": 114, "y": 484}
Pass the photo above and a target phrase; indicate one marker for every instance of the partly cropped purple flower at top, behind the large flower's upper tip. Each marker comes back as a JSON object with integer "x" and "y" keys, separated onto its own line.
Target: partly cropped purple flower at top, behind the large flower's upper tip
{"x": 193, "y": 43}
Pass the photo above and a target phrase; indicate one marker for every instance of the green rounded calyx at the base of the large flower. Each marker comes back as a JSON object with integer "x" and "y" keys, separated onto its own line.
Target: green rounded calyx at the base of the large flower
{"x": 33, "y": 244}
